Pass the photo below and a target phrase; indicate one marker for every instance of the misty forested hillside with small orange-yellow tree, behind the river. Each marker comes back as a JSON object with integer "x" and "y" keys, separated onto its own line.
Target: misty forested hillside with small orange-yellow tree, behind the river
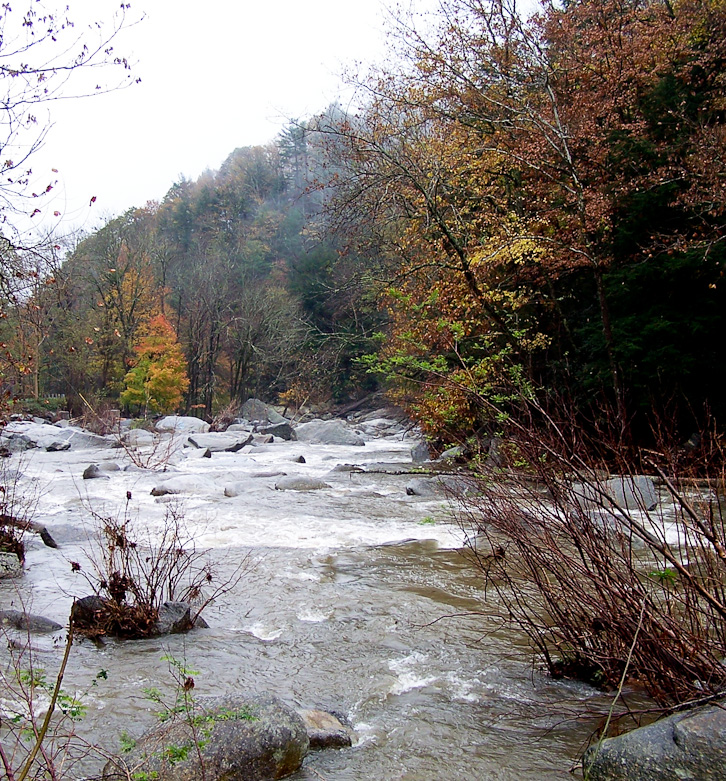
{"x": 232, "y": 268}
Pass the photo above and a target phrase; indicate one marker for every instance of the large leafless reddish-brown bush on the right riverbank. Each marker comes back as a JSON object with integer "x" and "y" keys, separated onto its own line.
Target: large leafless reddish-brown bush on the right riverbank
{"x": 602, "y": 590}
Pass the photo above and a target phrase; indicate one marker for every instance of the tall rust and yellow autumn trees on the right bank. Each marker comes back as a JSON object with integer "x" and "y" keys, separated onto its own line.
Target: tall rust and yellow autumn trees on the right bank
{"x": 544, "y": 189}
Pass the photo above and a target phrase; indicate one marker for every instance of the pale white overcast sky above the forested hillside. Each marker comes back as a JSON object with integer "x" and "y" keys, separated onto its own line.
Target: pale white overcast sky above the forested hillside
{"x": 215, "y": 75}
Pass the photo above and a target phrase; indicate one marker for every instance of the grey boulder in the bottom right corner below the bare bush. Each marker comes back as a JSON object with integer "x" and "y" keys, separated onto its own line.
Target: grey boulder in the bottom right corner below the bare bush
{"x": 687, "y": 746}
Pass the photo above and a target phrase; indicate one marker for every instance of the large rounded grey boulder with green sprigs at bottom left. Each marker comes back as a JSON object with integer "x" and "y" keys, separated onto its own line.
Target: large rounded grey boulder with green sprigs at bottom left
{"x": 252, "y": 737}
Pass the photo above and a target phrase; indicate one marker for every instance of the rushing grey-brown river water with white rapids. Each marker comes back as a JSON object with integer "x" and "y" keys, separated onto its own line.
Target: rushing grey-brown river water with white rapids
{"x": 348, "y": 602}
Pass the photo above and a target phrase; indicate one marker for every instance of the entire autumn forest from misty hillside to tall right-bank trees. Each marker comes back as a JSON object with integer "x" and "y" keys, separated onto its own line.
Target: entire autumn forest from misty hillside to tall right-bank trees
{"x": 517, "y": 206}
